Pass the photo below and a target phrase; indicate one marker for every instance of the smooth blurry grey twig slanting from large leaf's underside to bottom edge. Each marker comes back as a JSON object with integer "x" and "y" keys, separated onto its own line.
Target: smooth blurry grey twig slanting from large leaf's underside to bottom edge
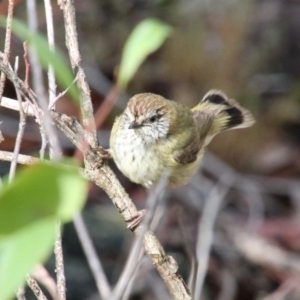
{"x": 92, "y": 258}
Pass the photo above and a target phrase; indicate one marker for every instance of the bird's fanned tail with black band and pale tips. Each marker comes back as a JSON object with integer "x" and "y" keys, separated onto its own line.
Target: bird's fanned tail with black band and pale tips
{"x": 226, "y": 113}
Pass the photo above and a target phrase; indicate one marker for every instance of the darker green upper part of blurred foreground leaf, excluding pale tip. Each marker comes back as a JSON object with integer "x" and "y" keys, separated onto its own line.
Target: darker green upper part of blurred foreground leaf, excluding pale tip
{"x": 32, "y": 196}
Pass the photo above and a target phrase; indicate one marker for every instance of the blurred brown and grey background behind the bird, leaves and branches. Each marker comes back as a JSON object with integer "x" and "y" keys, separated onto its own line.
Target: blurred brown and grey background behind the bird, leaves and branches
{"x": 251, "y": 50}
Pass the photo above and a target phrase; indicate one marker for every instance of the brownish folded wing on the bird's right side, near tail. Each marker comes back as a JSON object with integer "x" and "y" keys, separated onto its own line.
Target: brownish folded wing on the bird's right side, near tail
{"x": 188, "y": 153}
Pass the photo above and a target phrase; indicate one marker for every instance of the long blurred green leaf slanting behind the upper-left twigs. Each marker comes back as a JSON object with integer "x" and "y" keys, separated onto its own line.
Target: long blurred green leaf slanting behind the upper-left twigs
{"x": 39, "y": 42}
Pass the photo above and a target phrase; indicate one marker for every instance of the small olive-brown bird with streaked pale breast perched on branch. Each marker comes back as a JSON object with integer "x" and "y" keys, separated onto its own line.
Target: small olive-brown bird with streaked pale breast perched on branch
{"x": 154, "y": 134}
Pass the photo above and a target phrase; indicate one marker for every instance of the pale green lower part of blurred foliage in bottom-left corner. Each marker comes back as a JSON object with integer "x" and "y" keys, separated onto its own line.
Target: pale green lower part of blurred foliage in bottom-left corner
{"x": 21, "y": 251}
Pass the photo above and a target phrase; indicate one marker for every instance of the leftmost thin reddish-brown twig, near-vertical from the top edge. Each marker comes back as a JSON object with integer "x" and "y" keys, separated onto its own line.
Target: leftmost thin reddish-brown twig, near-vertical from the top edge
{"x": 7, "y": 43}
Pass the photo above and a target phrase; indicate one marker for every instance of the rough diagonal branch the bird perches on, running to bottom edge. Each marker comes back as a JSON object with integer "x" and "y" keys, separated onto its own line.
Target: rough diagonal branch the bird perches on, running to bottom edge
{"x": 103, "y": 176}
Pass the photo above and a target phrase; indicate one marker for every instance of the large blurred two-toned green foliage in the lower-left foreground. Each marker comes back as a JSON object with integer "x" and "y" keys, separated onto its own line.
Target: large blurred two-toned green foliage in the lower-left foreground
{"x": 29, "y": 208}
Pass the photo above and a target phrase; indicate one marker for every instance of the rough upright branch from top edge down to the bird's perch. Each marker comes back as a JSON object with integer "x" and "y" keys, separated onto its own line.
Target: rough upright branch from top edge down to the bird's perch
{"x": 75, "y": 57}
